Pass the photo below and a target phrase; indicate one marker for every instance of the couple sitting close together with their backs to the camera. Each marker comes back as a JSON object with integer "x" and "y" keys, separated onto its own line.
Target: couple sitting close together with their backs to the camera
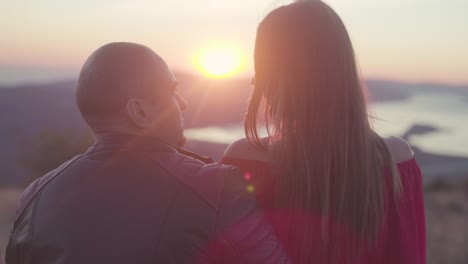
{"x": 327, "y": 188}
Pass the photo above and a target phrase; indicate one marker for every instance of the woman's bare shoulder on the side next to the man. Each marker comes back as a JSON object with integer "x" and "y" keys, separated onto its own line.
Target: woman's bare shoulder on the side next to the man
{"x": 244, "y": 150}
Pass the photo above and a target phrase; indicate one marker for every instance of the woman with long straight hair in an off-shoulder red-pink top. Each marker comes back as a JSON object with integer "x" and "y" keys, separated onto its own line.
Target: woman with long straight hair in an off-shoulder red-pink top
{"x": 335, "y": 191}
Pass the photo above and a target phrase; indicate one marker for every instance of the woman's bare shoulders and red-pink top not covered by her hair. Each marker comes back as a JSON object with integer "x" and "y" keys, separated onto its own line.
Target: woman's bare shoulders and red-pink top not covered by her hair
{"x": 402, "y": 235}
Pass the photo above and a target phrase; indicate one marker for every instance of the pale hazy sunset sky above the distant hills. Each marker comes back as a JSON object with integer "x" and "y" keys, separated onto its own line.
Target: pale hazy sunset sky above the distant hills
{"x": 412, "y": 40}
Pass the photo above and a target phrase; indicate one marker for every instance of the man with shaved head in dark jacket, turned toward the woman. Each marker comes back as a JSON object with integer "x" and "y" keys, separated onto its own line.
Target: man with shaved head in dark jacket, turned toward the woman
{"x": 134, "y": 197}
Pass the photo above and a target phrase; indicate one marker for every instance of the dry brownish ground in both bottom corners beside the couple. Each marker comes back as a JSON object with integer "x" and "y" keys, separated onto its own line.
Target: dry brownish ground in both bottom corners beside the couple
{"x": 446, "y": 218}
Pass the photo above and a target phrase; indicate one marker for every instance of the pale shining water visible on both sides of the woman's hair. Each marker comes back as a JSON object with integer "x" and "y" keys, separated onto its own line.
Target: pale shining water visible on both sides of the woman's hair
{"x": 446, "y": 112}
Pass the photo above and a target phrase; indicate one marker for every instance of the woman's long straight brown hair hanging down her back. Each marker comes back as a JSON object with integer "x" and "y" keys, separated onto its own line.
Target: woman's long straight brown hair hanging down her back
{"x": 326, "y": 156}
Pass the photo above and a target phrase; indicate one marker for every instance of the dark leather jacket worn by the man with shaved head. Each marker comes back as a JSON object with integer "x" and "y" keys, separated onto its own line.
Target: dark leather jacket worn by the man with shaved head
{"x": 135, "y": 200}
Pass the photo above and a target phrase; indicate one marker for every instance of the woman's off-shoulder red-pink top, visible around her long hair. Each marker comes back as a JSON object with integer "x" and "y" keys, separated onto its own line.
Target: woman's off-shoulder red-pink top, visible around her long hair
{"x": 402, "y": 239}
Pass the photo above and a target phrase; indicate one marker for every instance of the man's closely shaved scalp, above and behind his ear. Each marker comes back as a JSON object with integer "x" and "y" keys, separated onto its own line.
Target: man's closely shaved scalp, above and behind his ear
{"x": 114, "y": 75}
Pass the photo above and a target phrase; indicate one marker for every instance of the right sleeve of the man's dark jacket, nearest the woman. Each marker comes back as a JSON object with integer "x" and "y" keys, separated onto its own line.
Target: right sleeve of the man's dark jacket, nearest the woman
{"x": 244, "y": 233}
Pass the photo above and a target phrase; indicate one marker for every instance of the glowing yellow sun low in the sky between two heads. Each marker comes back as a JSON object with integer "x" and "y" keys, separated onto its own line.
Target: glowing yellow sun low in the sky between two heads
{"x": 220, "y": 60}
